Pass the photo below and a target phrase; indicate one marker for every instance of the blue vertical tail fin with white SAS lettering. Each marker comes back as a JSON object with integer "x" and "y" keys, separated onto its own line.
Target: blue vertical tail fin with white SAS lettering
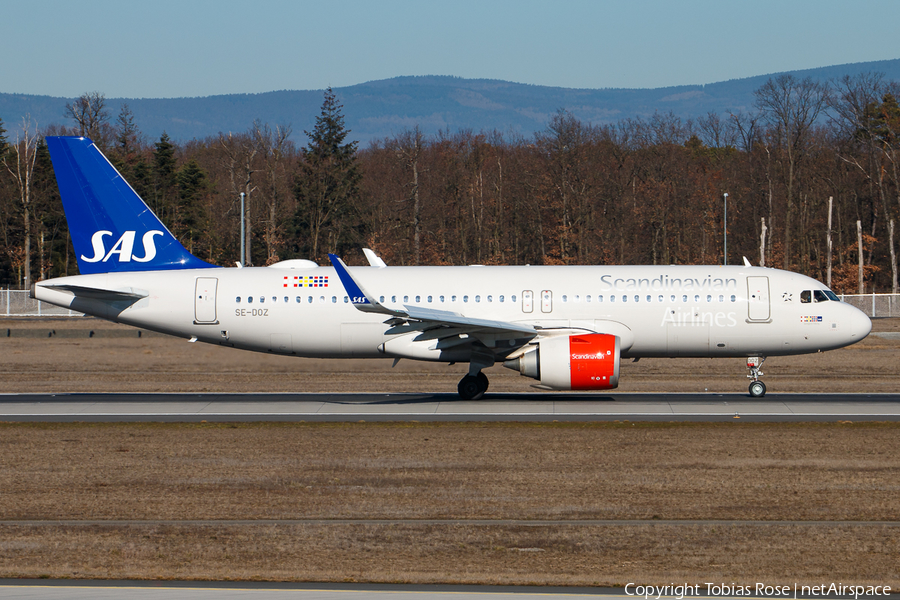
{"x": 112, "y": 229}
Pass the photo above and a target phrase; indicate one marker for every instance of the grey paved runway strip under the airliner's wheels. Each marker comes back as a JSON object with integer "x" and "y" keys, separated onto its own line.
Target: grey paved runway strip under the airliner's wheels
{"x": 538, "y": 407}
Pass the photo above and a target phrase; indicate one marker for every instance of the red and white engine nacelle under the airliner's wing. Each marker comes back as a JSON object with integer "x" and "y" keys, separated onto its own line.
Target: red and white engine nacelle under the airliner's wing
{"x": 577, "y": 362}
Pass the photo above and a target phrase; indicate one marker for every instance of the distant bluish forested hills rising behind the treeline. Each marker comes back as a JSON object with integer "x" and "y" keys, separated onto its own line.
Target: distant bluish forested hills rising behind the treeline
{"x": 379, "y": 109}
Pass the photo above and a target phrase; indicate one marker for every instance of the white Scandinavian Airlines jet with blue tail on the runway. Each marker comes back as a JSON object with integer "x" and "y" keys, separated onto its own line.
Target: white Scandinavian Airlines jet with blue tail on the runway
{"x": 568, "y": 327}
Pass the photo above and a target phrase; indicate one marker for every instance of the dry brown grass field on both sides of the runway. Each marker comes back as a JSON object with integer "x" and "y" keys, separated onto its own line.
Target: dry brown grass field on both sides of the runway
{"x": 382, "y": 473}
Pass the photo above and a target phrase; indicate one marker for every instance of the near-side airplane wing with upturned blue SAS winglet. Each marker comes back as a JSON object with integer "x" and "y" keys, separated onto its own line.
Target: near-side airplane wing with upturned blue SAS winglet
{"x": 417, "y": 318}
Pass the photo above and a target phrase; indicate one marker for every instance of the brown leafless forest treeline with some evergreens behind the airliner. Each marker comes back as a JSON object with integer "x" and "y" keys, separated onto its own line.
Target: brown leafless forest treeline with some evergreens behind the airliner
{"x": 639, "y": 191}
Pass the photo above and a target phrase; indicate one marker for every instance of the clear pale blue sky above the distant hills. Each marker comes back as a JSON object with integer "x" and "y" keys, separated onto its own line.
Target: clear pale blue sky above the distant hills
{"x": 174, "y": 48}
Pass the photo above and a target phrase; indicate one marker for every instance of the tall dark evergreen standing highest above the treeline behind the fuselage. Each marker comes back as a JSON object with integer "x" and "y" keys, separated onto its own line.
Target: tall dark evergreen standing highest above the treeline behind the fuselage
{"x": 328, "y": 183}
